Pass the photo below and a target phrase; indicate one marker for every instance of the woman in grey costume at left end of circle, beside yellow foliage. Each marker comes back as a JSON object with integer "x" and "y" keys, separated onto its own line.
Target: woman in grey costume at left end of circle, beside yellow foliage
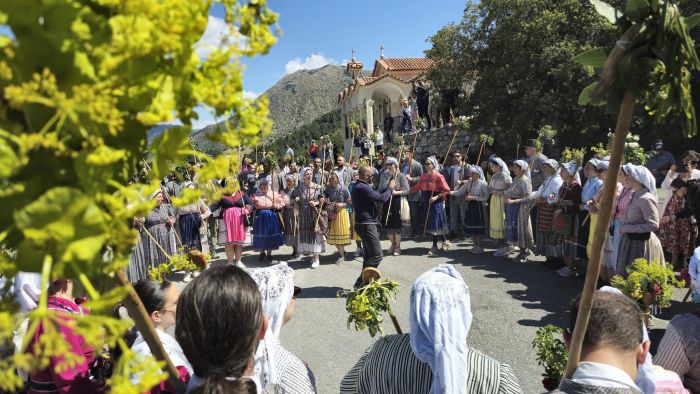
{"x": 159, "y": 242}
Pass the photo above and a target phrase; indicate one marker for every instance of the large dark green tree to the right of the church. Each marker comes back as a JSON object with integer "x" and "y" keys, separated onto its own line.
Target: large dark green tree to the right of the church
{"x": 518, "y": 56}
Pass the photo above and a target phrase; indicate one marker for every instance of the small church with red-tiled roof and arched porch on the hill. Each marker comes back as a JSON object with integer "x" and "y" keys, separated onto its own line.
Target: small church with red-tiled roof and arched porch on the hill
{"x": 368, "y": 100}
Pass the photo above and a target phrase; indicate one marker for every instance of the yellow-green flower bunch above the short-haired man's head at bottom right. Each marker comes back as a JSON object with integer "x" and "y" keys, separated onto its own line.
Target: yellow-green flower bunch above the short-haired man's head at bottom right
{"x": 648, "y": 284}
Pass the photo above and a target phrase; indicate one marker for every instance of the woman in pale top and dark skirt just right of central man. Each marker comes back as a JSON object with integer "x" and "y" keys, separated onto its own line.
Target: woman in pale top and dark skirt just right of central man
{"x": 391, "y": 214}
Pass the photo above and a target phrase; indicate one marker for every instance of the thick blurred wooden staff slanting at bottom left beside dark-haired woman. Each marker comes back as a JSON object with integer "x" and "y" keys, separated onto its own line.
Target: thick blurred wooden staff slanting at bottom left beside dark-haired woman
{"x": 143, "y": 324}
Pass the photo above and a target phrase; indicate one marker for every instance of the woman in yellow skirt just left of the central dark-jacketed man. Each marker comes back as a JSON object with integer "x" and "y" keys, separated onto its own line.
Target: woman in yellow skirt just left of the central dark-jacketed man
{"x": 337, "y": 200}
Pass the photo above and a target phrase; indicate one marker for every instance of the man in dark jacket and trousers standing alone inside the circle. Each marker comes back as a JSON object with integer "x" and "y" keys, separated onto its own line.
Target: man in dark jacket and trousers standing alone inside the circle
{"x": 364, "y": 205}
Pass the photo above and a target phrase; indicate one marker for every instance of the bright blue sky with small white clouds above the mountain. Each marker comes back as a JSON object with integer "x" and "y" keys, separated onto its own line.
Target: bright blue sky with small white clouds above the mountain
{"x": 320, "y": 32}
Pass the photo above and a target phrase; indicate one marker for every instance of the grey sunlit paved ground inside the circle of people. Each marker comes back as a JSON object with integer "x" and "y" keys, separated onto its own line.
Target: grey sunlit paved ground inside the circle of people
{"x": 509, "y": 302}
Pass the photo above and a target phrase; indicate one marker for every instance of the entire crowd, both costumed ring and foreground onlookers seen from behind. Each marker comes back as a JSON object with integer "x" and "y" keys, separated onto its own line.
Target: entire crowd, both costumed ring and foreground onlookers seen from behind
{"x": 228, "y": 320}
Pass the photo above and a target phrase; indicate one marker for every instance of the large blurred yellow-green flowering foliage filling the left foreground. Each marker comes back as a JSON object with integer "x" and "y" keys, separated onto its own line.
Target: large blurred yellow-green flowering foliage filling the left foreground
{"x": 81, "y": 82}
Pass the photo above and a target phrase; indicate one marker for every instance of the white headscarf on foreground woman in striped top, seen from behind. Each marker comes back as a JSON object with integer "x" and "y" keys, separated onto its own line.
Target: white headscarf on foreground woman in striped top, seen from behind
{"x": 440, "y": 318}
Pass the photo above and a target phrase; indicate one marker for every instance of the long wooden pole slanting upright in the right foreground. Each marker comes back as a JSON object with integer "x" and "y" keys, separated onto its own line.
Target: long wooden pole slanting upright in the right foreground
{"x": 624, "y": 119}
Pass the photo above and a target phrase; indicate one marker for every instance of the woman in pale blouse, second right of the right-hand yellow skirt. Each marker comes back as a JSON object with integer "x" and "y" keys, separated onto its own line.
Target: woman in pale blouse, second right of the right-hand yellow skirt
{"x": 546, "y": 196}
